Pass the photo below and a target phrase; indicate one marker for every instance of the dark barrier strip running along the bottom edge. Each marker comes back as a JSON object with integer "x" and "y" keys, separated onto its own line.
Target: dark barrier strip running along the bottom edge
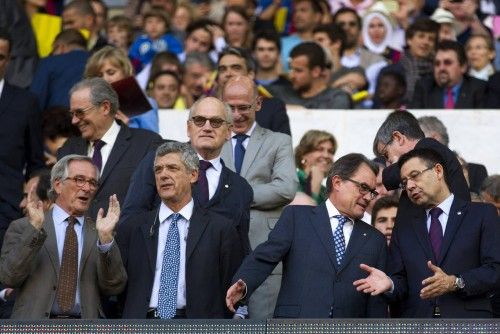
{"x": 351, "y": 326}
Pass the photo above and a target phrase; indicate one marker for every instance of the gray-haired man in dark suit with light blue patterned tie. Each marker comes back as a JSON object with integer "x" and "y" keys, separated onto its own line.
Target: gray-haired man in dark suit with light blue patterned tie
{"x": 180, "y": 257}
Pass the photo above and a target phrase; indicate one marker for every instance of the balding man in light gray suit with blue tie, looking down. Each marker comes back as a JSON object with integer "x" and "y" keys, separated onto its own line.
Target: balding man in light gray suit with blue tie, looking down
{"x": 265, "y": 159}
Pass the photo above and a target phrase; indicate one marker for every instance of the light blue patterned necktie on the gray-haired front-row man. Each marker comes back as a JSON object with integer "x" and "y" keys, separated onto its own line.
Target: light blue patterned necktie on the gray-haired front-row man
{"x": 167, "y": 295}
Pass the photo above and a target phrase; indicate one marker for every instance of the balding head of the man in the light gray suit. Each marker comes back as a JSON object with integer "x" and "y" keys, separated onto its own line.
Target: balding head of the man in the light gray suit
{"x": 241, "y": 94}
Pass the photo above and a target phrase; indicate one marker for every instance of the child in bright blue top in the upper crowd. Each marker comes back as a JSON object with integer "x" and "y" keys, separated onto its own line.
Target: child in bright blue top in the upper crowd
{"x": 155, "y": 39}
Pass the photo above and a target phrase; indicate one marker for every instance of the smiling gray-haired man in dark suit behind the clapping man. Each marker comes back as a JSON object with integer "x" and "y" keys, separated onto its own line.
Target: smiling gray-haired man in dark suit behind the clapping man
{"x": 115, "y": 149}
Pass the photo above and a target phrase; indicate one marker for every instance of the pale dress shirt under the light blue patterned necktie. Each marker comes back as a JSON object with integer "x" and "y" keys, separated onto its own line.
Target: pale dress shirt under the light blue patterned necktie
{"x": 183, "y": 225}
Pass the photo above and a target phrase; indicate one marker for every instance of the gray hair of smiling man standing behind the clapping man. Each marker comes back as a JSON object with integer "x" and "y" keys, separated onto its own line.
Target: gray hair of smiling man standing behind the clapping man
{"x": 100, "y": 91}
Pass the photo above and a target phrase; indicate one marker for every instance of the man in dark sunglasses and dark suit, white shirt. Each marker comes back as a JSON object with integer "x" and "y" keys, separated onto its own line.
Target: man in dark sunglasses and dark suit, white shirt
{"x": 218, "y": 188}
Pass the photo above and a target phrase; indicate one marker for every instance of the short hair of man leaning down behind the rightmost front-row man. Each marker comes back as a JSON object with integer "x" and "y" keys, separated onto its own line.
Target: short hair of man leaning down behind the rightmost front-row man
{"x": 400, "y": 120}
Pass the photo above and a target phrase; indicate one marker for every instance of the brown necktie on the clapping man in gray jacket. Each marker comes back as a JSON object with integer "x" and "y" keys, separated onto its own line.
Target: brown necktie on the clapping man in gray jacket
{"x": 68, "y": 272}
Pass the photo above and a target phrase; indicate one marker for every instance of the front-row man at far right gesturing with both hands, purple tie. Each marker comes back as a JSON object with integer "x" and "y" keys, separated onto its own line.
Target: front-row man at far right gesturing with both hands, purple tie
{"x": 445, "y": 260}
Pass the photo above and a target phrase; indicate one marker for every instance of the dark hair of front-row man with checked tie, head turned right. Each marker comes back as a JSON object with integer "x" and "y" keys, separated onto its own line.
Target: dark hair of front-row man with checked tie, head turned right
{"x": 346, "y": 167}
